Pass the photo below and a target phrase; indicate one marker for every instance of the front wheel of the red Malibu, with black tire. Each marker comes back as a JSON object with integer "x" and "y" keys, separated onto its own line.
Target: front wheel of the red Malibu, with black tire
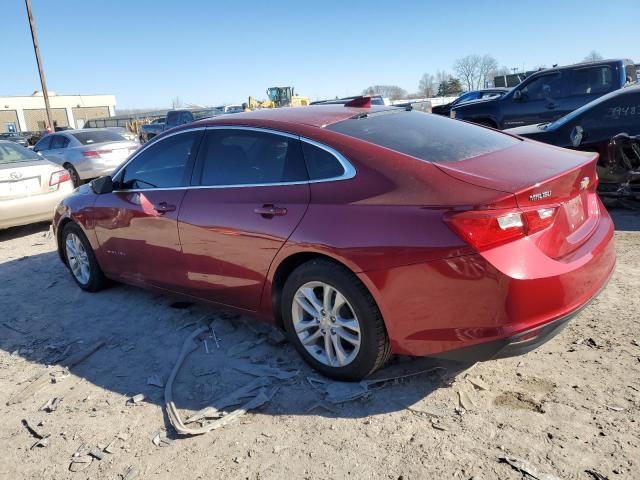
{"x": 81, "y": 260}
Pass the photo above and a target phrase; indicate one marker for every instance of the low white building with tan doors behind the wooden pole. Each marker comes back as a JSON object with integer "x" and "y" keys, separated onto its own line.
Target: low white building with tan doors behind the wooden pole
{"x": 21, "y": 114}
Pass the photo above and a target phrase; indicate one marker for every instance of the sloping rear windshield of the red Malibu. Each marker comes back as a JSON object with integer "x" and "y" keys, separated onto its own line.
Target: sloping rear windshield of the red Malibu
{"x": 425, "y": 136}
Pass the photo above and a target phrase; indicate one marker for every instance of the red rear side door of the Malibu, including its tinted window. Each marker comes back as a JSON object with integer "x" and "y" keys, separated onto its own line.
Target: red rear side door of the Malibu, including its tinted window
{"x": 250, "y": 192}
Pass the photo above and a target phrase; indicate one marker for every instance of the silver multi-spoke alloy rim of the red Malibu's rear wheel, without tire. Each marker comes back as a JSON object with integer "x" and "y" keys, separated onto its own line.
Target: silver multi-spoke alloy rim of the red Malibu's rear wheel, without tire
{"x": 326, "y": 324}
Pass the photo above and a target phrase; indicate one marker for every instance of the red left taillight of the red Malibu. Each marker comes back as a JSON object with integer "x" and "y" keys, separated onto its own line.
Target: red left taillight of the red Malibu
{"x": 484, "y": 229}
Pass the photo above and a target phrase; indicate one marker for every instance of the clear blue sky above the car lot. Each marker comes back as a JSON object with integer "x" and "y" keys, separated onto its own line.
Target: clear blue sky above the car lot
{"x": 213, "y": 52}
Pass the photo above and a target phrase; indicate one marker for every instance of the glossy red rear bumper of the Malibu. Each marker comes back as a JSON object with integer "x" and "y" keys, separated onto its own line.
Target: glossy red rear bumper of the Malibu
{"x": 474, "y": 307}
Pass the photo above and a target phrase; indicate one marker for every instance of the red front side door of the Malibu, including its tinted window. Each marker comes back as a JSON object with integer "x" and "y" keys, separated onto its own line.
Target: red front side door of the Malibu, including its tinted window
{"x": 136, "y": 224}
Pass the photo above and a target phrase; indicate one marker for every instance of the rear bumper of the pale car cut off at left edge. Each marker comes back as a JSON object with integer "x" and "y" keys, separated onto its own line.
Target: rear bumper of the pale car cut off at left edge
{"x": 32, "y": 209}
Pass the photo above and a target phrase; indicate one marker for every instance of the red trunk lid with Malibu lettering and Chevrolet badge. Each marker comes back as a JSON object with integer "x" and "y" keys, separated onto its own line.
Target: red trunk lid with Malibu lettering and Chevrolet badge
{"x": 542, "y": 178}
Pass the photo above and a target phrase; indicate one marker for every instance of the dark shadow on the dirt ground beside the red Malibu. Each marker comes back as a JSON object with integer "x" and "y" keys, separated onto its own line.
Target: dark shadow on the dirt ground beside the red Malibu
{"x": 50, "y": 322}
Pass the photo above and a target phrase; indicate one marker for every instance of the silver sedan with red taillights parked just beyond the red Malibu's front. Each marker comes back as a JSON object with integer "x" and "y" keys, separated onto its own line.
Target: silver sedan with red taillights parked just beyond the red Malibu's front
{"x": 87, "y": 153}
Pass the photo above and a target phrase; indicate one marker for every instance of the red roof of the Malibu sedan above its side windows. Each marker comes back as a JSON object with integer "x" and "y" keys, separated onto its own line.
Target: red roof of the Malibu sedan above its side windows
{"x": 313, "y": 115}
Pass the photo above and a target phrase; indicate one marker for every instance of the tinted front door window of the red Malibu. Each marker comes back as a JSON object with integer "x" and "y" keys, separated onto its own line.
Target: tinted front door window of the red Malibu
{"x": 163, "y": 164}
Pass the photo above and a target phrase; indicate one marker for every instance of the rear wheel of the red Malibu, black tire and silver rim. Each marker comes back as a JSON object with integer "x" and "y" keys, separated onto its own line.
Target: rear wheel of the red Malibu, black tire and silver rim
{"x": 359, "y": 309}
